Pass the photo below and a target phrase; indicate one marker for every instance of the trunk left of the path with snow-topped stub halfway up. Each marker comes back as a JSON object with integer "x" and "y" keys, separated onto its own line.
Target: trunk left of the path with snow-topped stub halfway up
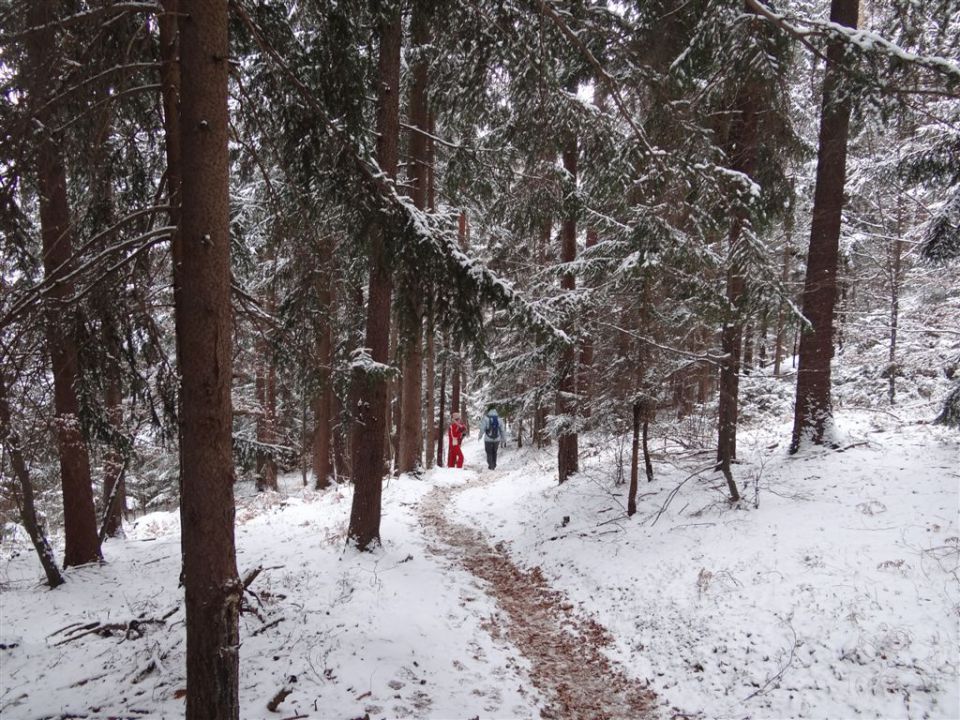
{"x": 369, "y": 423}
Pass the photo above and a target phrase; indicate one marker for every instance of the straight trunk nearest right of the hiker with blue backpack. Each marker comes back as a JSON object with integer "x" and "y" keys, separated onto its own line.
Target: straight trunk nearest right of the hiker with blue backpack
{"x": 568, "y": 454}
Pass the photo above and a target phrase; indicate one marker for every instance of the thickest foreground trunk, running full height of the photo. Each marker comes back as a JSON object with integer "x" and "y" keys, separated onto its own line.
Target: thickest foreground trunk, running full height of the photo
{"x": 204, "y": 329}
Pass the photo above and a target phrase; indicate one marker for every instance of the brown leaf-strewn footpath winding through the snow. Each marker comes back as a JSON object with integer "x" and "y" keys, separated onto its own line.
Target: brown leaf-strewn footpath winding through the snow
{"x": 564, "y": 650}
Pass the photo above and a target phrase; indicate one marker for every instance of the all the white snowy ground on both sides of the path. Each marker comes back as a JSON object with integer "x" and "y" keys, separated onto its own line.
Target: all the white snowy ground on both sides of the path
{"x": 832, "y": 592}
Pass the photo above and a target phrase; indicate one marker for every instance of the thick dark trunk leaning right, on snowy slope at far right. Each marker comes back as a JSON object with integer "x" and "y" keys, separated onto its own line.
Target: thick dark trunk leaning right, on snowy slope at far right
{"x": 813, "y": 411}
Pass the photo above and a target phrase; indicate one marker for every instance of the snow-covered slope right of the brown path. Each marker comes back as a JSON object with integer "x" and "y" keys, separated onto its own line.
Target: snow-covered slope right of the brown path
{"x": 837, "y": 597}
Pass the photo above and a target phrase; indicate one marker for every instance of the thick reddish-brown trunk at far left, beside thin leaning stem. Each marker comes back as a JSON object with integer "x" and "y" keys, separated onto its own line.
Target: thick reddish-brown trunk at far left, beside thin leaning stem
{"x": 82, "y": 543}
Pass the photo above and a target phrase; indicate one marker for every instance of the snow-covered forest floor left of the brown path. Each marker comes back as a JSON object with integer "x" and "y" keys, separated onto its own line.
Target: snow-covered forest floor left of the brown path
{"x": 394, "y": 633}
